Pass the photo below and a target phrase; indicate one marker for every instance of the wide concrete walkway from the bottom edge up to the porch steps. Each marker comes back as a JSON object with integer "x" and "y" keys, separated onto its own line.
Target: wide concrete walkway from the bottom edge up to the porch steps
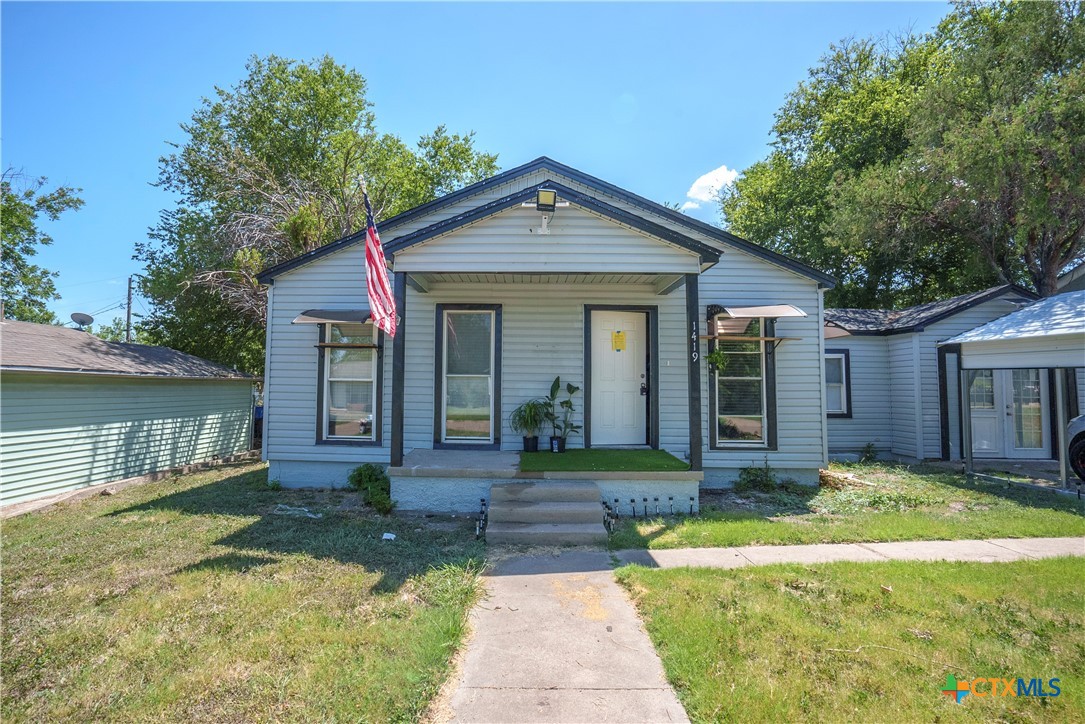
{"x": 557, "y": 640}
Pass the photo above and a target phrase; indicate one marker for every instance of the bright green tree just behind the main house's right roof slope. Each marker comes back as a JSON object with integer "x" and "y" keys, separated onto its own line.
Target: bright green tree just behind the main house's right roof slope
{"x": 852, "y": 115}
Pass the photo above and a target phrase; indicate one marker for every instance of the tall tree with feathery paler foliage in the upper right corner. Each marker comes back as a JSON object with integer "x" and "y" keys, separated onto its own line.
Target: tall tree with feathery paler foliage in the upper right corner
{"x": 998, "y": 155}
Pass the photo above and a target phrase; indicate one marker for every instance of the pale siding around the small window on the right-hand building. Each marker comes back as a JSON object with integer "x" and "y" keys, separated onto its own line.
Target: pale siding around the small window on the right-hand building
{"x": 871, "y": 422}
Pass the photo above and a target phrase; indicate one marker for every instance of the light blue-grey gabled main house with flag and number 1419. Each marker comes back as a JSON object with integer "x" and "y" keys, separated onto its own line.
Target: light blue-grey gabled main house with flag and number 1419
{"x": 612, "y": 293}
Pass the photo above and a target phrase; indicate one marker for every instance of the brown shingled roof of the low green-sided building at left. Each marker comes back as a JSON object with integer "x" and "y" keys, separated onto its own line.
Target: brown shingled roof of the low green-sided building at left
{"x": 30, "y": 348}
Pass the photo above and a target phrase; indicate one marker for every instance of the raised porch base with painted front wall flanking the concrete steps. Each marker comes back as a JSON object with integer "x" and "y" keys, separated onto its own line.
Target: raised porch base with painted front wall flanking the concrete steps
{"x": 459, "y": 480}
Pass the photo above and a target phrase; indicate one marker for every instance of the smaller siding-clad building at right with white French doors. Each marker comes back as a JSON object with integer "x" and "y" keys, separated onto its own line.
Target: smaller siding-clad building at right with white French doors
{"x": 891, "y": 384}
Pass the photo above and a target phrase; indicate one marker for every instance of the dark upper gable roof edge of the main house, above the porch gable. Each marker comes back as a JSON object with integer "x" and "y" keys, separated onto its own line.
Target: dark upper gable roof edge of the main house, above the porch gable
{"x": 544, "y": 163}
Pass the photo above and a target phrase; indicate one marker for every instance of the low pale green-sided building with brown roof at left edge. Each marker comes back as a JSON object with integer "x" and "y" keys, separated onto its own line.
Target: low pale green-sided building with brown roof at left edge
{"x": 76, "y": 411}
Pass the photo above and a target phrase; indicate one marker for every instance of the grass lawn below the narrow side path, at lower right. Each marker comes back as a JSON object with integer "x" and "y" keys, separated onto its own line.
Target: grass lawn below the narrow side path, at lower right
{"x": 829, "y": 644}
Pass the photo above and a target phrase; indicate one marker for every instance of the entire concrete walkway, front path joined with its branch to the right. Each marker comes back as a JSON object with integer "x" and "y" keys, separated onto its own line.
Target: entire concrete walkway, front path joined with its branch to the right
{"x": 557, "y": 640}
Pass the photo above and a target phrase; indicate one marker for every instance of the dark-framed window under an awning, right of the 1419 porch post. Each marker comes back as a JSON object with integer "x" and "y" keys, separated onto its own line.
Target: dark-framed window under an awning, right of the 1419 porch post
{"x": 743, "y": 380}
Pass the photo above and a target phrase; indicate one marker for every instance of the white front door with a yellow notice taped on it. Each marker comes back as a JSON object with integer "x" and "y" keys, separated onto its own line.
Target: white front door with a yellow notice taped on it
{"x": 619, "y": 374}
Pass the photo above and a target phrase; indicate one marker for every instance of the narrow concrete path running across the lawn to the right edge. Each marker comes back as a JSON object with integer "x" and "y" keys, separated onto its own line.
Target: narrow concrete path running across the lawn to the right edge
{"x": 985, "y": 552}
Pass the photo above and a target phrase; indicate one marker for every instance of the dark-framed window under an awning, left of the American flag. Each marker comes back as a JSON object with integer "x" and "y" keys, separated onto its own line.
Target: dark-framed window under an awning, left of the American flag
{"x": 350, "y": 392}
